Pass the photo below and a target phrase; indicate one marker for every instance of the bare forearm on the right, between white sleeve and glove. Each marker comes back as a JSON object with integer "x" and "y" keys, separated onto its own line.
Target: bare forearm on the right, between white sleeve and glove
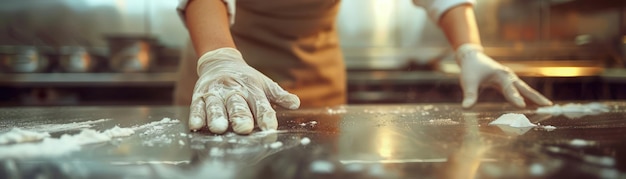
{"x": 459, "y": 26}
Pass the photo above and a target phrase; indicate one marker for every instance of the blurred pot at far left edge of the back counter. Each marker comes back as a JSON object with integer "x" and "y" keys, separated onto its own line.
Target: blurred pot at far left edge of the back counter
{"x": 22, "y": 59}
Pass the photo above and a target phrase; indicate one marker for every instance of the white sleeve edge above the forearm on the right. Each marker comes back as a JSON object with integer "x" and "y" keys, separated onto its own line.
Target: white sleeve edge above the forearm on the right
{"x": 436, "y": 8}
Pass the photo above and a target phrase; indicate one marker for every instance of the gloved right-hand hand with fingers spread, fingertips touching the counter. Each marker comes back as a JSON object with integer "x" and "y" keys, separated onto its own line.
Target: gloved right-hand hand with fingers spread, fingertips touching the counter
{"x": 477, "y": 68}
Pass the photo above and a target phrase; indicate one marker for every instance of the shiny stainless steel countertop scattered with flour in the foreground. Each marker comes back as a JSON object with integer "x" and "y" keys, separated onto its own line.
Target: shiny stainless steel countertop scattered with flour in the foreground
{"x": 356, "y": 141}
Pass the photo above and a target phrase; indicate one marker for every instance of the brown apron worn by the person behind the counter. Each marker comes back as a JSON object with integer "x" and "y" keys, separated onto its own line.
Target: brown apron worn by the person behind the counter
{"x": 294, "y": 42}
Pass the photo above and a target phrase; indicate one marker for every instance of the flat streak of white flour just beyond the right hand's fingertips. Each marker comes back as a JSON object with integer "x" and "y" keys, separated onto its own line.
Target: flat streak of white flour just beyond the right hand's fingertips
{"x": 590, "y": 108}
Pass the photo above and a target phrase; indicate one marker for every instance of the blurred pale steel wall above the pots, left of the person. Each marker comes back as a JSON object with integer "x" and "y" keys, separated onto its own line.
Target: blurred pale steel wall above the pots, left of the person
{"x": 86, "y": 22}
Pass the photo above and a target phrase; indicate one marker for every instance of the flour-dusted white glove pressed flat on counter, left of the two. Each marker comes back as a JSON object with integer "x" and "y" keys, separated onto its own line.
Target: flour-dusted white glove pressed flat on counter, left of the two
{"x": 230, "y": 91}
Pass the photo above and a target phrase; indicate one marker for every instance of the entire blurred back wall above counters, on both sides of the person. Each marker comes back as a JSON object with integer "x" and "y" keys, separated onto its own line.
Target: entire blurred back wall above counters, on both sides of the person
{"x": 510, "y": 29}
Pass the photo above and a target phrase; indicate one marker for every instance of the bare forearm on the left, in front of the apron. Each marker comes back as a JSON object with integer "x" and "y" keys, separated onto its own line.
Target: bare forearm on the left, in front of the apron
{"x": 207, "y": 22}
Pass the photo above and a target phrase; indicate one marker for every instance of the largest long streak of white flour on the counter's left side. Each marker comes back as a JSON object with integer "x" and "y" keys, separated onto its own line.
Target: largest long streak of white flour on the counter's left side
{"x": 51, "y": 147}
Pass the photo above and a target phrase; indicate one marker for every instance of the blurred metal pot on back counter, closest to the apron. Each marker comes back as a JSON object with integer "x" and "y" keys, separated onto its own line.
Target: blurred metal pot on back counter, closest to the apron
{"x": 130, "y": 53}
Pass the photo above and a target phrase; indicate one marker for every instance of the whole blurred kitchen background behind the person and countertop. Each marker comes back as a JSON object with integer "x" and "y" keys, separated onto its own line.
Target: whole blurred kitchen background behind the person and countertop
{"x": 125, "y": 52}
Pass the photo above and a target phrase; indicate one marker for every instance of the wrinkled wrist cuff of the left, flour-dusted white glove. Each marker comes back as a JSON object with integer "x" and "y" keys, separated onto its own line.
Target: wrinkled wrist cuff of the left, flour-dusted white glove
{"x": 219, "y": 55}
